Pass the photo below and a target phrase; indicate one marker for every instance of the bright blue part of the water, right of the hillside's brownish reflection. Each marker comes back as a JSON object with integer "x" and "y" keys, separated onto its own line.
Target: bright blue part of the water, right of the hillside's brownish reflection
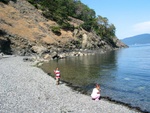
{"x": 129, "y": 79}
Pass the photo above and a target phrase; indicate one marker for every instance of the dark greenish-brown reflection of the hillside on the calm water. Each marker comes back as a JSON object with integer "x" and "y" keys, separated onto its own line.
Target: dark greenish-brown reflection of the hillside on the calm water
{"x": 83, "y": 70}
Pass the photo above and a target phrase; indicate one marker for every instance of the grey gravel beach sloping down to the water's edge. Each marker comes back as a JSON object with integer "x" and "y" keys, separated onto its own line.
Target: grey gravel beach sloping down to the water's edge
{"x": 25, "y": 88}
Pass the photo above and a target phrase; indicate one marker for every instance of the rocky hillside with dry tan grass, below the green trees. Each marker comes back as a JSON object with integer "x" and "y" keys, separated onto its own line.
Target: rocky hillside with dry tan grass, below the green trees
{"x": 24, "y": 31}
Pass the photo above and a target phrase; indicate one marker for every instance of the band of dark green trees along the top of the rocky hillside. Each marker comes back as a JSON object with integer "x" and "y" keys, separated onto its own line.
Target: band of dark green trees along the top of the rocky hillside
{"x": 60, "y": 10}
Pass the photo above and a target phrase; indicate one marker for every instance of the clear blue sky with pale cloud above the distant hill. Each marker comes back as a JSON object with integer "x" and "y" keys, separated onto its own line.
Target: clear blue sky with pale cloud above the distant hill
{"x": 130, "y": 17}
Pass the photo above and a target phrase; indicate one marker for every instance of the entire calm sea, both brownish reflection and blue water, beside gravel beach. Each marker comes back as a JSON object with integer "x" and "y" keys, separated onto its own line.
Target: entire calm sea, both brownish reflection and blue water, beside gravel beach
{"x": 124, "y": 75}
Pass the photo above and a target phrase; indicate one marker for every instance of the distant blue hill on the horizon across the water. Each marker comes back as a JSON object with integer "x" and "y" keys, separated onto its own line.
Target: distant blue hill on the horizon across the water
{"x": 138, "y": 39}
